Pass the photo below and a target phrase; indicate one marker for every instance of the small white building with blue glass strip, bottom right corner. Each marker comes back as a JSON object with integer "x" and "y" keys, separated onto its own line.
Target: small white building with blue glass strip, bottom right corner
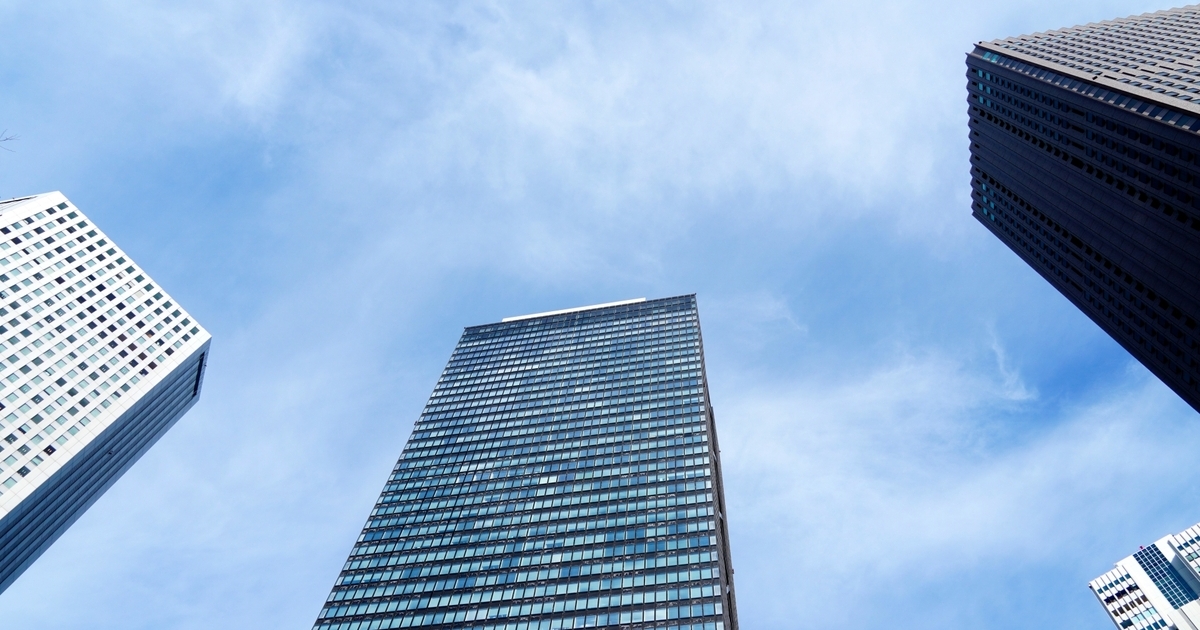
{"x": 1156, "y": 587}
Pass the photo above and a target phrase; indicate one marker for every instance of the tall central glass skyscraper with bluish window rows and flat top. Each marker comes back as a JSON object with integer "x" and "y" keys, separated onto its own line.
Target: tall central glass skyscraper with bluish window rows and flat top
{"x": 563, "y": 475}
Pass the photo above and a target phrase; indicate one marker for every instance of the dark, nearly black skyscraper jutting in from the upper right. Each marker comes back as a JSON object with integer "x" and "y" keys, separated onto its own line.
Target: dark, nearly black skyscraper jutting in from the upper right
{"x": 1085, "y": 161}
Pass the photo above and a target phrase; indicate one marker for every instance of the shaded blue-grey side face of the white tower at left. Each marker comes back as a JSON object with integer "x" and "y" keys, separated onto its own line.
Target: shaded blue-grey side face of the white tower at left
{"x": 33, "y": 526}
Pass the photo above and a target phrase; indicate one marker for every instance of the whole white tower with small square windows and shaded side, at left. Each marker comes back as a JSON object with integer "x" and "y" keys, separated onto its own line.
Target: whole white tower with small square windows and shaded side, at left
{"x": 97, "y": 364}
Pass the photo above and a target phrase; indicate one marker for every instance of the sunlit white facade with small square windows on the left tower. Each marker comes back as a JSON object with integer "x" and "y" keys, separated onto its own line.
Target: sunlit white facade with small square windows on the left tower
{"x": 85, "y": 333}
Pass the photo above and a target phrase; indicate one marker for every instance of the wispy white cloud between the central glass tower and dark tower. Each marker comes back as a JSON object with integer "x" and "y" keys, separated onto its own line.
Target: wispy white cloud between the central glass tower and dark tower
{"x": 908, "y": 477}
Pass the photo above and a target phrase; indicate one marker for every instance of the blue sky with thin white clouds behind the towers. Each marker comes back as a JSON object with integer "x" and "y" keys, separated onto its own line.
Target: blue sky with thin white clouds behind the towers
{"x": 917, "y": 430}
